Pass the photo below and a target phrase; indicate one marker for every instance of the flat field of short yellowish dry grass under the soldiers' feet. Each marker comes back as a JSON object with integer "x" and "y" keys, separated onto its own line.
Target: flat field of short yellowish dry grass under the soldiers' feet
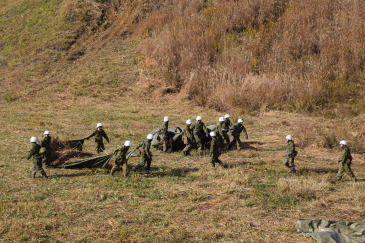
{"x": 182, "y": 199}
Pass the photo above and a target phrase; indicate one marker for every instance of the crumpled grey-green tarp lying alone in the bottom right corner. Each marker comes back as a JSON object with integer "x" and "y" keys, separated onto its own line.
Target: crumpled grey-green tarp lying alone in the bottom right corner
{"x": 324, "y": 231}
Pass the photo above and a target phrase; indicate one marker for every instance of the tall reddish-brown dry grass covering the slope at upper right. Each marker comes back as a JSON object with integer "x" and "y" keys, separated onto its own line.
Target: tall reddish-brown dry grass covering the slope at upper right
{"x": 291, "y": 54}
